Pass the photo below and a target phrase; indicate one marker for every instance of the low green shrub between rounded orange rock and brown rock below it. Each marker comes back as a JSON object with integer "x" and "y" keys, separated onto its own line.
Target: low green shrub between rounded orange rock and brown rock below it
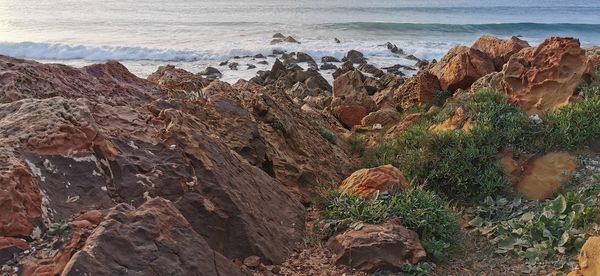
{"x": 418, "y": 209}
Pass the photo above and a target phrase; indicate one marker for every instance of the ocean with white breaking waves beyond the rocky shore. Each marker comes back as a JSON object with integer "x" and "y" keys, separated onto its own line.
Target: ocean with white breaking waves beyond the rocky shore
{"x": 194, "y": 34}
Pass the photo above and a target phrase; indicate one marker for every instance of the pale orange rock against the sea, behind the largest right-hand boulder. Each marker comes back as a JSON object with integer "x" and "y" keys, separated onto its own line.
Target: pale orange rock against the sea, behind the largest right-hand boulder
{"x": 500, "y": 50}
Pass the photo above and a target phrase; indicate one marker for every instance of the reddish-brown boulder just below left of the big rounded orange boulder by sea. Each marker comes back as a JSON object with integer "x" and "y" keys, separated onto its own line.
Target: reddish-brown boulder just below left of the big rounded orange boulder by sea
{"x": 420, "y": 89}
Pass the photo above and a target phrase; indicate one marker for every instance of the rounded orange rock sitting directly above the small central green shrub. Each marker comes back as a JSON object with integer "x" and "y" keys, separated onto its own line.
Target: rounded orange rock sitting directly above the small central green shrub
{"x": 364, "y": 183}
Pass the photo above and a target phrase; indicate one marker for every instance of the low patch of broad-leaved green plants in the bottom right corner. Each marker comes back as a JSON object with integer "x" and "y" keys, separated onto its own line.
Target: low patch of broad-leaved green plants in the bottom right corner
{"x": 549, "y": 232}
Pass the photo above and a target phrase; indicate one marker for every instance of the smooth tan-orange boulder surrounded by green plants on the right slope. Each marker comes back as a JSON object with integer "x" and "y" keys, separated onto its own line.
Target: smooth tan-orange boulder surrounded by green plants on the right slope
{"x": 542, "y": 177}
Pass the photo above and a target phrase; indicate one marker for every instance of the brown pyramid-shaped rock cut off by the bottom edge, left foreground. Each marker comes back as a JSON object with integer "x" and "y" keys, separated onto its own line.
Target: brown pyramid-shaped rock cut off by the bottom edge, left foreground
{"x": 154, "y": 239}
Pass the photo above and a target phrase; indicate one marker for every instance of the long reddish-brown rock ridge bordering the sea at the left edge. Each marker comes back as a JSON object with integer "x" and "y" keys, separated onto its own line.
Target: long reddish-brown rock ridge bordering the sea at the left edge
{"x": 109, "y": 82}
